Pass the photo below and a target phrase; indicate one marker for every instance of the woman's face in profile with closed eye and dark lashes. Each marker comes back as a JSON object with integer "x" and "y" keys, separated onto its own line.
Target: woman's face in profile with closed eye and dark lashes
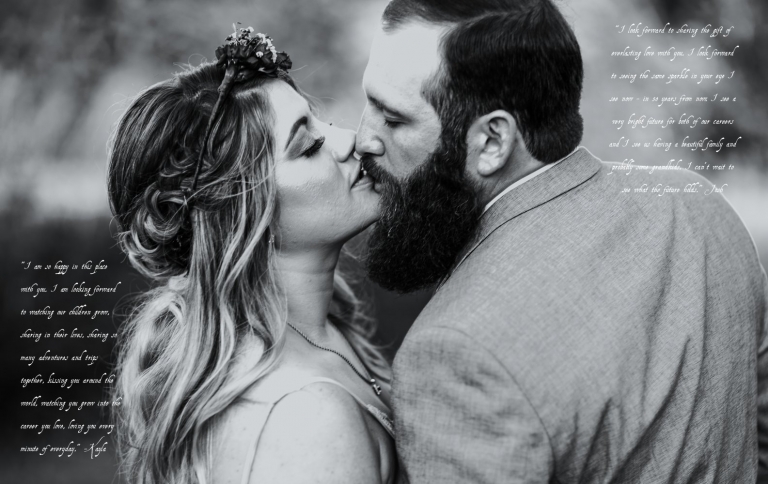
{"x": 324, "y": 199}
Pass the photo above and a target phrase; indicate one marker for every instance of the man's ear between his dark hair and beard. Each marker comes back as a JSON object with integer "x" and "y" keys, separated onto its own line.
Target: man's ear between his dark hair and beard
{"x": 490, "y": 141}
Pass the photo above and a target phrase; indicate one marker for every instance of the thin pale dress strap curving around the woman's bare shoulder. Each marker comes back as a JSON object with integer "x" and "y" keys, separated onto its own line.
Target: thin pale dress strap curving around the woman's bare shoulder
{"x": 277, "y": 390}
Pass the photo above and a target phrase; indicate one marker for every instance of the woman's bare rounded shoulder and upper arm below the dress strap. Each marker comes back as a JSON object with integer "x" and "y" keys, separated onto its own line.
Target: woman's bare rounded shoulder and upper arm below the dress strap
{"x": 317, "y": 434}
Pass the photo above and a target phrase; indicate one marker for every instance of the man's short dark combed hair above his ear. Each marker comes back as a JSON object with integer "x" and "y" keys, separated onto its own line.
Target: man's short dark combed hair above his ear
{"x": 517, "y": 55}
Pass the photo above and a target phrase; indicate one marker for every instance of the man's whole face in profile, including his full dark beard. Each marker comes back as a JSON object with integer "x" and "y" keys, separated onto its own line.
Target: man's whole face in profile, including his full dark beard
{"x": 429, "y": 209}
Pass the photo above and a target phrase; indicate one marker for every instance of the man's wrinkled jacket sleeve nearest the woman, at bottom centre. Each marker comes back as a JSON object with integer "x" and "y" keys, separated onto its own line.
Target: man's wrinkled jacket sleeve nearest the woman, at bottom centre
{"x": 461, "y": 418}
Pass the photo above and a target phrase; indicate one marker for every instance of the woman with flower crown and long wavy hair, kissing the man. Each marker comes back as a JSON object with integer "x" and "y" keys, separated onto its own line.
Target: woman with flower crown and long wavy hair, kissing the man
{"x": 250, "y": 360}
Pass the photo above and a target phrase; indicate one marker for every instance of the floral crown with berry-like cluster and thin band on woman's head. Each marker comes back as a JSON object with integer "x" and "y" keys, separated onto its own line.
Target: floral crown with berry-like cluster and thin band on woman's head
{"x": 244, "y": 56}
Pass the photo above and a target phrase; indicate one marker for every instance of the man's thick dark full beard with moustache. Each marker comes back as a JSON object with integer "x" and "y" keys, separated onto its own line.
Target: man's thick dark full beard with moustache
{"x": 425, "y": 221}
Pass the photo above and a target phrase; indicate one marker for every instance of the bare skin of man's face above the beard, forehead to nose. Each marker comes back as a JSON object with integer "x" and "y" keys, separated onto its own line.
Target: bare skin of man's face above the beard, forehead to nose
{"x": 399, "y": 128}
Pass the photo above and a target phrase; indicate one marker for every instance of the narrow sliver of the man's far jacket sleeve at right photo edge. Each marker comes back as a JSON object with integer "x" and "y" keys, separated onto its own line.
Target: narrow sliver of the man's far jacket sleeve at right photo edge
{"x": 762, "y": 388}
